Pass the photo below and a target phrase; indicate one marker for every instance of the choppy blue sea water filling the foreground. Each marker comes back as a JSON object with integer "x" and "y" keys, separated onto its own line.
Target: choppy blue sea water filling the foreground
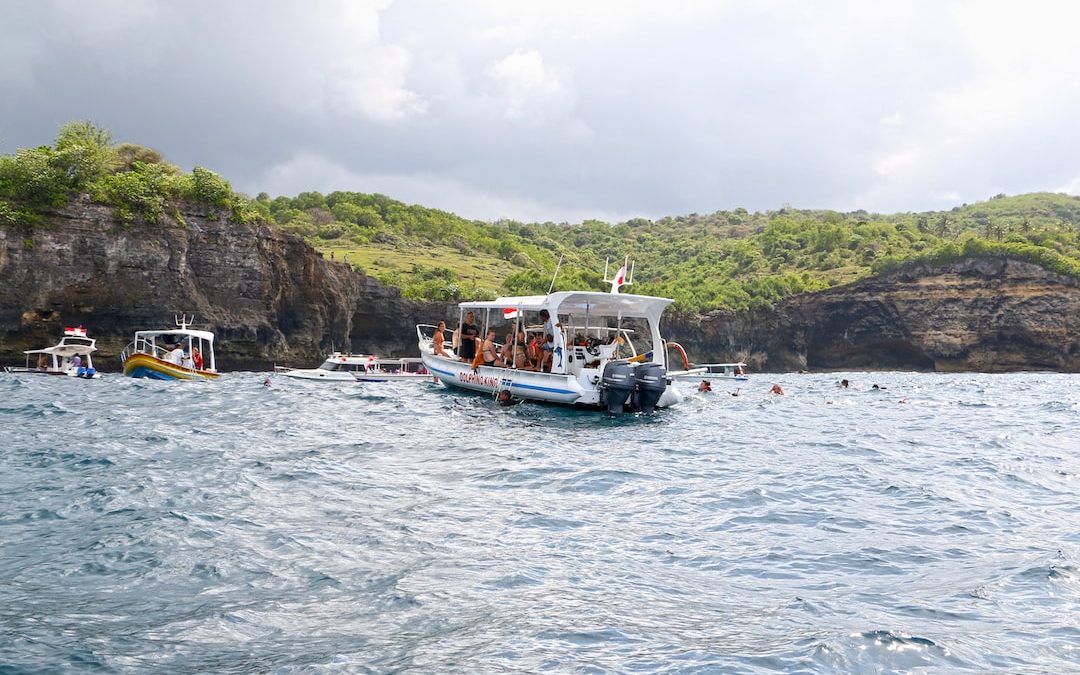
{"x": 305, "y": 528}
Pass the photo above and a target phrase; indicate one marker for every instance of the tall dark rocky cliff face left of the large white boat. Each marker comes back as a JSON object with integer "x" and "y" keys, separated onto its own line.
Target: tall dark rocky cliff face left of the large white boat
{"x": 269, "y": 298}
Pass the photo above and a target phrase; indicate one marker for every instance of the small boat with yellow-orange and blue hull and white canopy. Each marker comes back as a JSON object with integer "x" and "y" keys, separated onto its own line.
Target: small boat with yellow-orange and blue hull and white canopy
{"x": 180, "y": 354}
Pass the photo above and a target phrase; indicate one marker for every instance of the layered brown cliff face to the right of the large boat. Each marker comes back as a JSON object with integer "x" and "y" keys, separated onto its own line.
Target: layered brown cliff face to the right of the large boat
{"x": 989, "y": 315}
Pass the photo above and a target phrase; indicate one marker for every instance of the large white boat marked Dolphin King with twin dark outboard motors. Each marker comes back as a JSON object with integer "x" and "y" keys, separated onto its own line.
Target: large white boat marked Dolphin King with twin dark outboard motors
{"x": 590, "y": 349}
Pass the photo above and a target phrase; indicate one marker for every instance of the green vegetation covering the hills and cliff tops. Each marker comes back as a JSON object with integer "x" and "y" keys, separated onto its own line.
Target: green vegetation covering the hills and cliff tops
{"x": 727, "y": 260}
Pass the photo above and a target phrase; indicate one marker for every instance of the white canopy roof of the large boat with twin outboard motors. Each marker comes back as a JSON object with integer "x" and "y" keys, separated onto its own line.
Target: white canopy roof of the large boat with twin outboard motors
{"x": 580, "y": 303}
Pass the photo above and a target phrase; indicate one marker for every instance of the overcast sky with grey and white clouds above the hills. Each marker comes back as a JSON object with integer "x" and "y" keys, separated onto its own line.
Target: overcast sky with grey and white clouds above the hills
{"x": 564, "y": 111}
